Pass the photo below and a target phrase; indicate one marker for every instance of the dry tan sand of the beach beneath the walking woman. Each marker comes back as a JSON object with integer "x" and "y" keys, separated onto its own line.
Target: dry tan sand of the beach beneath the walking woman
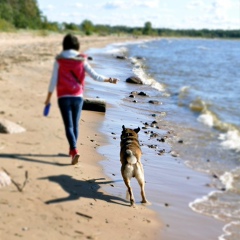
{"x": 59, "y": 201}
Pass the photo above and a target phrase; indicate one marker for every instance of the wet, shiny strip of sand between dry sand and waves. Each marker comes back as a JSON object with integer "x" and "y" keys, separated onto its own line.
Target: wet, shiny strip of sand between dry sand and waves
{"x": 171, "y": 184}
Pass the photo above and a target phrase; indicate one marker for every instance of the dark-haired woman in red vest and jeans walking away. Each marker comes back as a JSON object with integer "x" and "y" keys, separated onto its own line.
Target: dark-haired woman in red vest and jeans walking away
{"x": 68, "y": 78}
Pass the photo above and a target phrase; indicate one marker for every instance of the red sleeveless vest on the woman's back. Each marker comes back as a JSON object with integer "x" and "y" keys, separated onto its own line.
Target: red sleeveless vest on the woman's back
{"x": 71, "y": 75}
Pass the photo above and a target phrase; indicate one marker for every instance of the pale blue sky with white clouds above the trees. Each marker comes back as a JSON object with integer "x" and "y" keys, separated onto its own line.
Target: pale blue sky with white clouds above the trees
{"x": 174, "y": 14}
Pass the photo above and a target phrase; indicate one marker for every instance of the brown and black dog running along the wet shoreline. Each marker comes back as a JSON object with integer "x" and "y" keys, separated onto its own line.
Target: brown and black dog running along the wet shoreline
{"x": 130, "y": 157}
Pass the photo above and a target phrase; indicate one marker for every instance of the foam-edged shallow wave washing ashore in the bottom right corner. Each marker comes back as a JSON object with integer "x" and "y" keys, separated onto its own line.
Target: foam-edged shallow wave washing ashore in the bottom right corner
{"x": 223, "y": 205}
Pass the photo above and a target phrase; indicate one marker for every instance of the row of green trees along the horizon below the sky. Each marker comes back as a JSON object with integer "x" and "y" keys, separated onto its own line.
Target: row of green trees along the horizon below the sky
{"x": 25, "y": 14}
